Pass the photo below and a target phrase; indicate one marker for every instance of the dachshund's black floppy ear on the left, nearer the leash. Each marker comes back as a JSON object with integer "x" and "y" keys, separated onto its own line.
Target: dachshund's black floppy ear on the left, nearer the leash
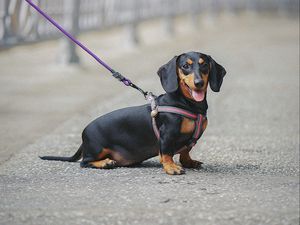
{"x": 168, "y": 76}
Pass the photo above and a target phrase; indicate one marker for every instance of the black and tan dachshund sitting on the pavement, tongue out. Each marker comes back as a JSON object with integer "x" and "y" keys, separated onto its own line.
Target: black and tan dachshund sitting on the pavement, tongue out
{"x": 126, "y": 136}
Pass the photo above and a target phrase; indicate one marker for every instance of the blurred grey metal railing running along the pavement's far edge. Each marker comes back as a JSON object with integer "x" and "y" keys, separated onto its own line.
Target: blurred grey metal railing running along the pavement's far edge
{"x": 21, "y": 24}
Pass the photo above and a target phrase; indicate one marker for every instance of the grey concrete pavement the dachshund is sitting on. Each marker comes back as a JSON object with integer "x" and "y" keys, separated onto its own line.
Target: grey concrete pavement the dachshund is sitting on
{"x": 250, "y": 149}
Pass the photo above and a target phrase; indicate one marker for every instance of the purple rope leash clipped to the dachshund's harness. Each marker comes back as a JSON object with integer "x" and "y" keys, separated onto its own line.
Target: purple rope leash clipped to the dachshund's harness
{"x": 117, "y": 75}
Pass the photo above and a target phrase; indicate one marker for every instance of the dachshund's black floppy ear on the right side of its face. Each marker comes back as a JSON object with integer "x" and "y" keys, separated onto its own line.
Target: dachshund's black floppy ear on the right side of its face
{"x": 217, "y": 72}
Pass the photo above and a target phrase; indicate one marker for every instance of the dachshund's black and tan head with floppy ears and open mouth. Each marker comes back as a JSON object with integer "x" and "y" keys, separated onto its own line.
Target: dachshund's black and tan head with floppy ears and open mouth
{"x": 191, "y": 72}
